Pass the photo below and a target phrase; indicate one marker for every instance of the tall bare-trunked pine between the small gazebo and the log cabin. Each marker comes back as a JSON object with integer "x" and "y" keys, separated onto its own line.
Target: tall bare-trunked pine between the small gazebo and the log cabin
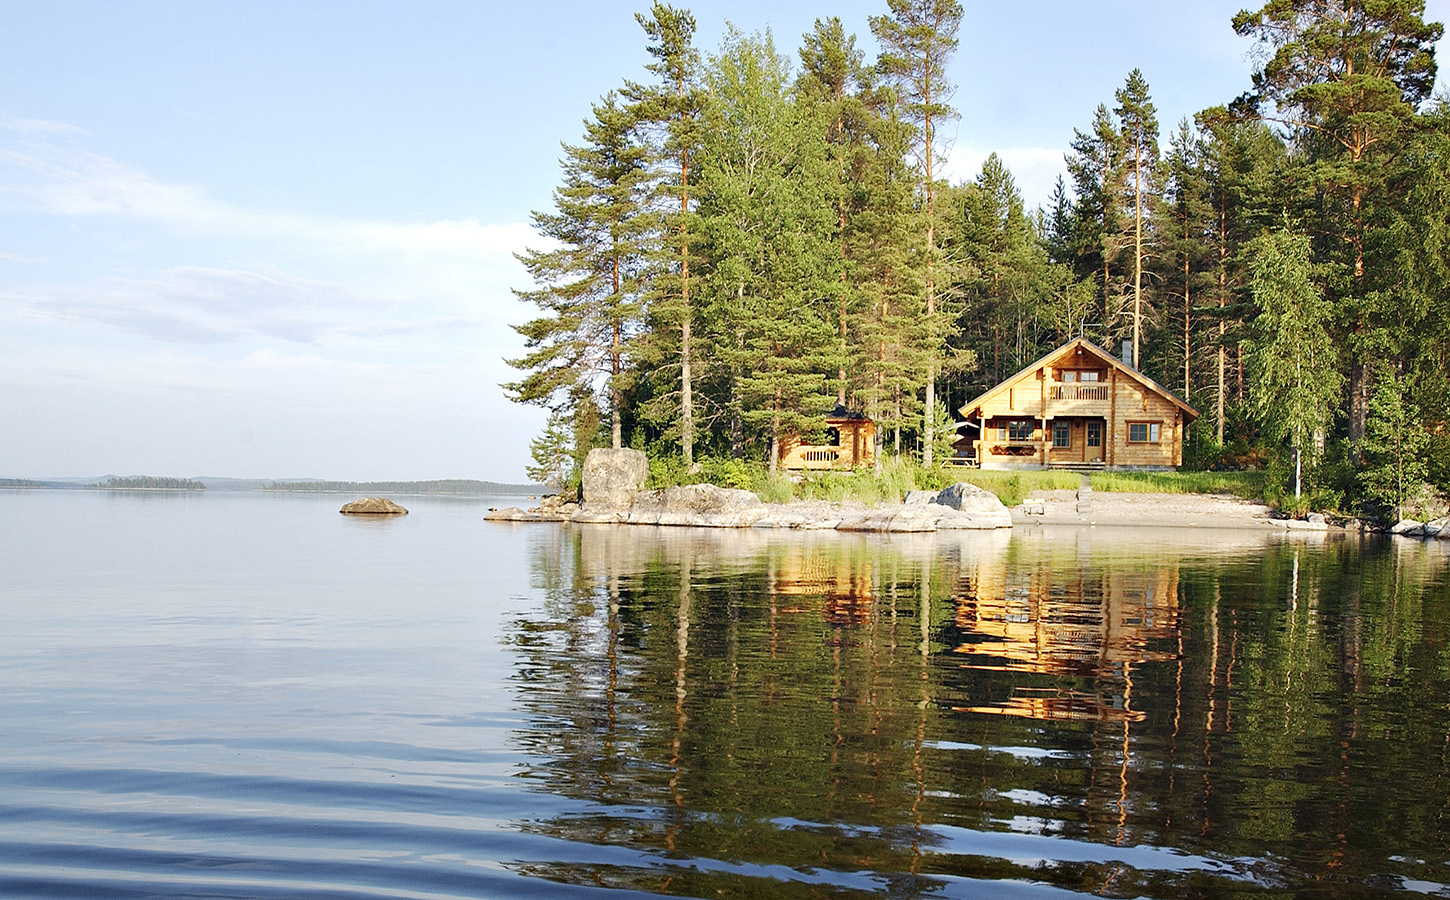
{"x": 919, "y": 40}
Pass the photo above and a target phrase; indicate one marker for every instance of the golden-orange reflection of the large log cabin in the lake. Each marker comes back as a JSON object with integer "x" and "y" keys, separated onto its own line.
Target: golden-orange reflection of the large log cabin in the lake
{"x": 1095, "y": 624}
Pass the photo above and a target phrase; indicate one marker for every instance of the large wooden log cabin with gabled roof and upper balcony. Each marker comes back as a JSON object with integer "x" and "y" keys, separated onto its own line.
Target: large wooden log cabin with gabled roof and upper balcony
{"x": 1080, "y": 408}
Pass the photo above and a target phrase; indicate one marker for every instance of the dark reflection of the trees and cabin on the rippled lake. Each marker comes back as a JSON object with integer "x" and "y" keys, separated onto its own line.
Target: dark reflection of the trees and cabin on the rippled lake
{"x": 848, "y": 709}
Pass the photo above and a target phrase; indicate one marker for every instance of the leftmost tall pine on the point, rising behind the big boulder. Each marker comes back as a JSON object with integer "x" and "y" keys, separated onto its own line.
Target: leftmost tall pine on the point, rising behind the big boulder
{"x": 589, "y": 288}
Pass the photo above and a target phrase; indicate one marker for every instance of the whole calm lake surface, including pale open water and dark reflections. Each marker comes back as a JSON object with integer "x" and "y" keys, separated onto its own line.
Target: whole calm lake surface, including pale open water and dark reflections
{"x": 252, "y": 696}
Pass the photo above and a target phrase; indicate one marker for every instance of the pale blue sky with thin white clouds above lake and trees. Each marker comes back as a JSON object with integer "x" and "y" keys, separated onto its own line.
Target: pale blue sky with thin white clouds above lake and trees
{"x": 276, "y": 238}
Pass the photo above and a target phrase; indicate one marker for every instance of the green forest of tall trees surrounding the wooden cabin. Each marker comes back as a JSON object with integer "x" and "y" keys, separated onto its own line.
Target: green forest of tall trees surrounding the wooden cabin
{"x": 742, "y": 243}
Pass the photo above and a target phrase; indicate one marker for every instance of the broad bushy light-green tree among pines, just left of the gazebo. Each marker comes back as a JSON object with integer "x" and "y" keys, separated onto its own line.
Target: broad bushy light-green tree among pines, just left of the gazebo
{"x": 768, "y": 221}
